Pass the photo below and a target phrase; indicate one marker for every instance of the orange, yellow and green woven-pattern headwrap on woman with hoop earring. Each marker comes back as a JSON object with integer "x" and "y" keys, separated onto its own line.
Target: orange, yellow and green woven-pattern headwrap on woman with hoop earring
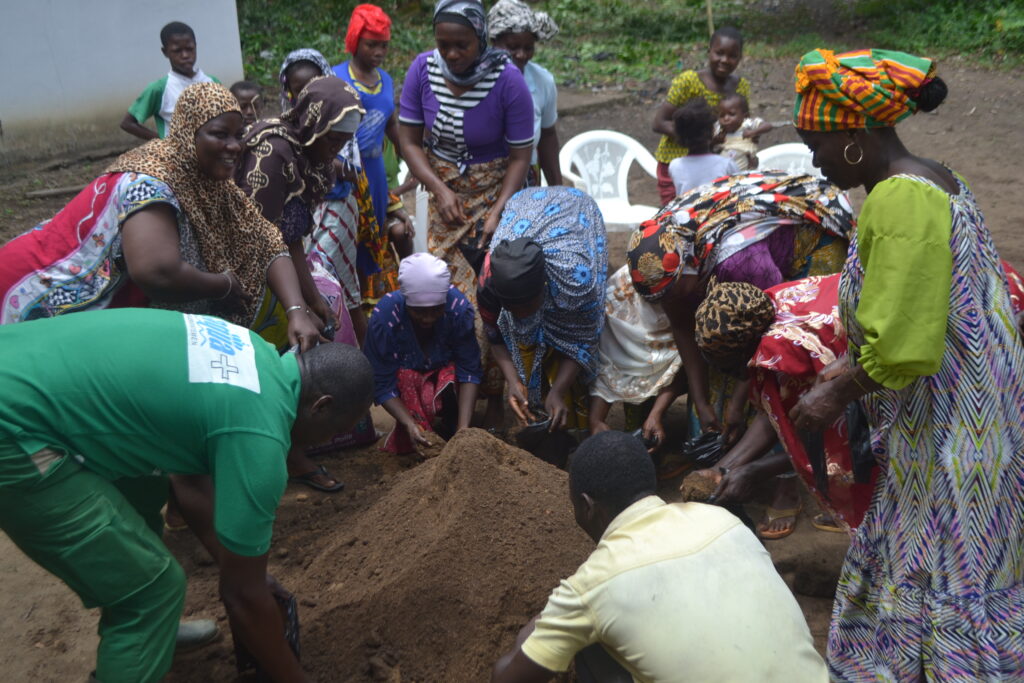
{"x": 861, "y": 90}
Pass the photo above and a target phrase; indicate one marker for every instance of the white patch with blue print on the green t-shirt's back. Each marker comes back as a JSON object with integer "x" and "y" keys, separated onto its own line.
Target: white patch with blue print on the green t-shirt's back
{"x": 221, "y": 354}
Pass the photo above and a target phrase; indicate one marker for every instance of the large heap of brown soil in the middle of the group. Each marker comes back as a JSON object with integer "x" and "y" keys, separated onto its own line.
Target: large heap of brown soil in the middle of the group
{"x": 430, "y": 581}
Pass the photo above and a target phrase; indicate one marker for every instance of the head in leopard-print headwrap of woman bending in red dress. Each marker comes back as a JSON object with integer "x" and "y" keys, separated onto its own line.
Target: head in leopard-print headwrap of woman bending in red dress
{"x": 731, "y": 323}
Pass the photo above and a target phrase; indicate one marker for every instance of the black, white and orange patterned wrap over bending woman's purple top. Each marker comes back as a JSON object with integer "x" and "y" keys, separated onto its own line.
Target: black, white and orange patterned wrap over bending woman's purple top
{"x": 761, "y": 228}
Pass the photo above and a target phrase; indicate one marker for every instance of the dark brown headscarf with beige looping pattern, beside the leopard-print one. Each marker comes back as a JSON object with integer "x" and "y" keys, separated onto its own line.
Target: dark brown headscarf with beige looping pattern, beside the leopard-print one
{"x": 276, "y": 167}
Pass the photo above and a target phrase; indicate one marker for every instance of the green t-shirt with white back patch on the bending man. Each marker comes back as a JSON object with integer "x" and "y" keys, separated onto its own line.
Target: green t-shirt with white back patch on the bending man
{"x": 134, "y": 393}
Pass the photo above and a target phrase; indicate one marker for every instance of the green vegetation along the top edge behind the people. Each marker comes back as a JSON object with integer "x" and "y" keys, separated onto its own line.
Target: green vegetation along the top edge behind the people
{"x": 627, "y": 42}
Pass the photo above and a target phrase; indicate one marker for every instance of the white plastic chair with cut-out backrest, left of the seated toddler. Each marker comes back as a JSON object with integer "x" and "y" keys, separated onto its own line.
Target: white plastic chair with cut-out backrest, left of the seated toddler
{"x": 602, "y": 161}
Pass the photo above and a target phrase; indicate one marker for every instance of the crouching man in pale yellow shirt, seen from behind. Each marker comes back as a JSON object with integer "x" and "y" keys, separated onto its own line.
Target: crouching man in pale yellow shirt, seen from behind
{"x": 680, "y": 592}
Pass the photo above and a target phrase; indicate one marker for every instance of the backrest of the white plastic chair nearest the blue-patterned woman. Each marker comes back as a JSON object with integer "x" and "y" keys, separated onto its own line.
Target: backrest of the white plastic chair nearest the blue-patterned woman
{"x": 603, "y": 160}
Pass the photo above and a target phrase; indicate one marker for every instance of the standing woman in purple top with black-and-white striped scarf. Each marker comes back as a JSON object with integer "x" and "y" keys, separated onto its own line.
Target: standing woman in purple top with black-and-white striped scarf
{"x": 466, "y": 129}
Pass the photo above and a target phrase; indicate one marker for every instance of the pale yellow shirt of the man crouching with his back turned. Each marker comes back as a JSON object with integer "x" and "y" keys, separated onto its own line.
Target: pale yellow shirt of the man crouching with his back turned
{"x": 681, "y": 592}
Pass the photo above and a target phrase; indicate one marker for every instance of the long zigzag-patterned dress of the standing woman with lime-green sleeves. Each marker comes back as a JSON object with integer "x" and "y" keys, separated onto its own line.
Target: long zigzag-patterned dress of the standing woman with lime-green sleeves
{"x": 931, "y": 588}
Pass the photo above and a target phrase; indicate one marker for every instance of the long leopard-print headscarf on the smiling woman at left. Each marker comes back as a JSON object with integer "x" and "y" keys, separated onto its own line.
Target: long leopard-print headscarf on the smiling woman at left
{"x": 231, "y": 232}
